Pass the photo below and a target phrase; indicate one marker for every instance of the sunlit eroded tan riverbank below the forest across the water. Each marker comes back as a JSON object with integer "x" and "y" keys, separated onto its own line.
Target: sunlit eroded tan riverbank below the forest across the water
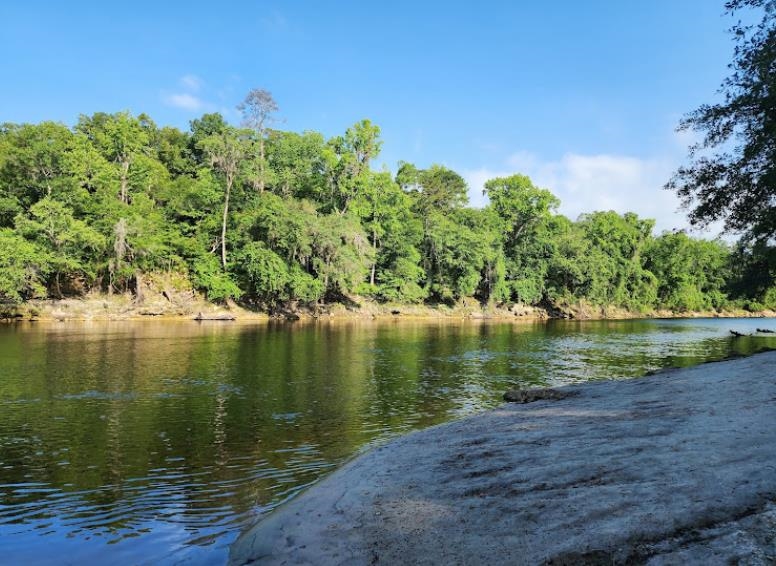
{"x": 186, "y": 305}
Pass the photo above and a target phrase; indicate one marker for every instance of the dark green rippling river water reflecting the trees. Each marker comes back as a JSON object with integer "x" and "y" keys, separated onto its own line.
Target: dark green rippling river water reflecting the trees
{"x": 135, "y": 443}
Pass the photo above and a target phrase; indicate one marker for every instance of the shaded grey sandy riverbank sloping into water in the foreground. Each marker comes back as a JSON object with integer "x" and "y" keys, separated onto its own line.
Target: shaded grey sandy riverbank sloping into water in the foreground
{"x": 675, "y": 467}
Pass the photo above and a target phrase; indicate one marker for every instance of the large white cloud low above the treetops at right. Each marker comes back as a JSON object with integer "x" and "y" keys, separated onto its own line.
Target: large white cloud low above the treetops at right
{"x": 586, "y": 183}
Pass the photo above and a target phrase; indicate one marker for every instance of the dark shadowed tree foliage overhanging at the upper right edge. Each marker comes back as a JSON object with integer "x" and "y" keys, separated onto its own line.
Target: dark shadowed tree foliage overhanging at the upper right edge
{"x": 737, "y": 184}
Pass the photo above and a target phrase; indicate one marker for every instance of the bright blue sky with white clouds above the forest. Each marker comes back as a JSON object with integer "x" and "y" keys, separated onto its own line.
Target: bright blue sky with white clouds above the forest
{"x": 582, "y": 96}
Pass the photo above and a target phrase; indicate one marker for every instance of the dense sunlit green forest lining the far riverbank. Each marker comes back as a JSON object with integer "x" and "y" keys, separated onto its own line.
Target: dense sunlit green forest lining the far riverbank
{"x": 279, "y": 220}
